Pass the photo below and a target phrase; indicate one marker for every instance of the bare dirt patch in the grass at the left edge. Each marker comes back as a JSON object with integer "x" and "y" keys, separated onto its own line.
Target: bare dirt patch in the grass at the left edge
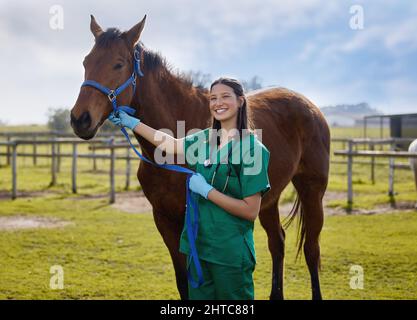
{"x": 29, "y": 222}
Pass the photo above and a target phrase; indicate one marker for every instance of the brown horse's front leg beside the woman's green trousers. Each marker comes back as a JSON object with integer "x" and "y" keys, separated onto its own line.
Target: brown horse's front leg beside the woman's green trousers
{"x": 170, "y": 231}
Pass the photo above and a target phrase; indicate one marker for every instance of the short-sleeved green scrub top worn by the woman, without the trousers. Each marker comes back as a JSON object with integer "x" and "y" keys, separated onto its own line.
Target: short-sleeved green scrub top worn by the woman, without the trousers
{"x": 222, "y": 237}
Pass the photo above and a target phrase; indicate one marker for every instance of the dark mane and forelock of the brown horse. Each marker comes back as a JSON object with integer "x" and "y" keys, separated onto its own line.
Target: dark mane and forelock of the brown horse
{"x": 152, "y": 61}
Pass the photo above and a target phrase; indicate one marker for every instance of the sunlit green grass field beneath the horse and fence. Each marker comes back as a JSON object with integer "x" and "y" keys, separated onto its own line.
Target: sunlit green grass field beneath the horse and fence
{"x": 109, "y": 254}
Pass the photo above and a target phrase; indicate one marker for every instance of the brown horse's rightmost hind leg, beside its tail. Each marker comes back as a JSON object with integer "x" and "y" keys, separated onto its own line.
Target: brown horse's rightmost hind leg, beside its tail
{"x": 311, "y": 190}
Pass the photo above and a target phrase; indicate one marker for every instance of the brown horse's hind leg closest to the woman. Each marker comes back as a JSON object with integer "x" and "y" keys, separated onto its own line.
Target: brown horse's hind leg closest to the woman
{"x": 269, "y": 219}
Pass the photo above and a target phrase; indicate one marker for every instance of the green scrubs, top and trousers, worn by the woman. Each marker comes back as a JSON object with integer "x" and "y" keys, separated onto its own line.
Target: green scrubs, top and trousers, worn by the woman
{"x": 225, "y": 242}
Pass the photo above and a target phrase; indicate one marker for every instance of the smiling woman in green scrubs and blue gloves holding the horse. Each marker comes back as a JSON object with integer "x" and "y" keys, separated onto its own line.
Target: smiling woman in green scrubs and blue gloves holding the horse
{"x": 231, "y": 180}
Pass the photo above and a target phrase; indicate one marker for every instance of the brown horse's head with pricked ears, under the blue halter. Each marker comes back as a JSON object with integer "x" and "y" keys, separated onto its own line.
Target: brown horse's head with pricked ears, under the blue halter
{"x": 109, "y": 63}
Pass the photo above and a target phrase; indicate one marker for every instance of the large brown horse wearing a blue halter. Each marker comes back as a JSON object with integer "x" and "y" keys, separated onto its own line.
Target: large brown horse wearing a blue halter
{"x": 293, "y": 129}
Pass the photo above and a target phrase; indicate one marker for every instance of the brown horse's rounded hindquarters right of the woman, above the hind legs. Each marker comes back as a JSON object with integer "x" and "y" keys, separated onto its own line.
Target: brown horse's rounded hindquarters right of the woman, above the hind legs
{"x": 294, "y": 130}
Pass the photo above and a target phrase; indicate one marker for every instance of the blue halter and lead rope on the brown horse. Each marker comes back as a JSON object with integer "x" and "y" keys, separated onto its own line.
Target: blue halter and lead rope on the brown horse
{"x": 192, "y": 226}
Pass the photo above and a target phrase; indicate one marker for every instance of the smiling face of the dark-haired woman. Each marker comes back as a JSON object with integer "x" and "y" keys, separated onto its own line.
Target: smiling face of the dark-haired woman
{"x": 224, "y": 103}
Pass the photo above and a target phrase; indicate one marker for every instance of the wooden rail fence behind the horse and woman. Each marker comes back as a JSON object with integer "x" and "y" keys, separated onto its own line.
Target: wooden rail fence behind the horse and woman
{"x": 112, "y": 142}
